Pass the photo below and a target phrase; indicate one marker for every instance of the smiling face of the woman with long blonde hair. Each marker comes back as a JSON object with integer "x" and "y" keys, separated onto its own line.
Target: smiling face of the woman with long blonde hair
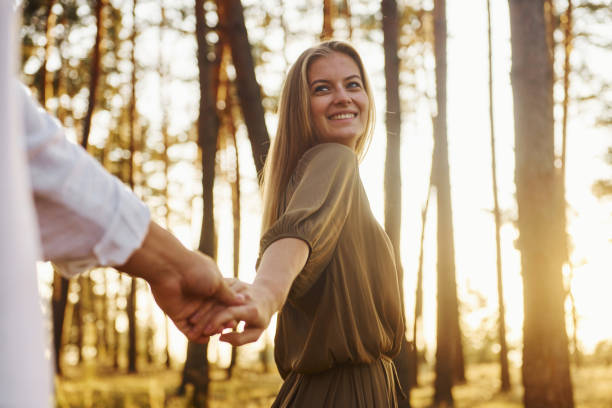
{"x": 338, "y": 100}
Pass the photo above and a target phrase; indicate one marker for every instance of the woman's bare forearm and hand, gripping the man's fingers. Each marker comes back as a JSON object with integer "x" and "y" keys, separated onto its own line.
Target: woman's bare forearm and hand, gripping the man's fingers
{"x": 280, "y": 264}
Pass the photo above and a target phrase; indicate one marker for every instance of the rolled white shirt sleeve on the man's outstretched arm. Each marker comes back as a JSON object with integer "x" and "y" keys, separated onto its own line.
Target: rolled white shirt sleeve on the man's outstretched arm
{"x": 86, "y": 216}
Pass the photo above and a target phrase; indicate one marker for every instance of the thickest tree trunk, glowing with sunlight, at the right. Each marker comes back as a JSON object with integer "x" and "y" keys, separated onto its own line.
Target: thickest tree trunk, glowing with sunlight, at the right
{"x": 546, "y": 374}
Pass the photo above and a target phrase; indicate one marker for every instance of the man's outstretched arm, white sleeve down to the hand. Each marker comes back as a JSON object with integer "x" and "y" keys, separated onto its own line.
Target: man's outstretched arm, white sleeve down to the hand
{"x": 88, "y": 218}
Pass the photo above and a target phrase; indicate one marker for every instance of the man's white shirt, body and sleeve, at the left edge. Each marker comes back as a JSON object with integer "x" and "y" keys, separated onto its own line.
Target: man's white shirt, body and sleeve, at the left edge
{"x": 86, "y": 217}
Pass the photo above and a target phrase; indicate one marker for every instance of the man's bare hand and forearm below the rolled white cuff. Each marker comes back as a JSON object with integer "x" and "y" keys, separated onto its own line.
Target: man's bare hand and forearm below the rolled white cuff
{"x": 183, "y": 282}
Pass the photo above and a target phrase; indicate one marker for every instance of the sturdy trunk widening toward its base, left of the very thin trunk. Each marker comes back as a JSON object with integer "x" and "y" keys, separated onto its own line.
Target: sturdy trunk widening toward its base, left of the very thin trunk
{"x": 449, "y": 353}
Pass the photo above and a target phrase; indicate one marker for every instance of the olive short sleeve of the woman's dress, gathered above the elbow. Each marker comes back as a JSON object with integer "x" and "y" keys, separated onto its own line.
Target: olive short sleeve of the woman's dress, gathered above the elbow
{"x": 324, "y": 184}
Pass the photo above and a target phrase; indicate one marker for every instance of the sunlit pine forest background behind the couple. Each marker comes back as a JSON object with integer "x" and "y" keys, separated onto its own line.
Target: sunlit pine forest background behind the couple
{"x": 490, "y": 171}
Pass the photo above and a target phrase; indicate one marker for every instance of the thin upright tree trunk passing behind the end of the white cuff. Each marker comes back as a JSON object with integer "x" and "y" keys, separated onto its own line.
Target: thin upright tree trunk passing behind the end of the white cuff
{"x": 131, "y": 301}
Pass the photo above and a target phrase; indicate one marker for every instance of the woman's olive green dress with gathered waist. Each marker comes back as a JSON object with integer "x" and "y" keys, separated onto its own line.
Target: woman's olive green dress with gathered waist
{"x": 342, "y": 320}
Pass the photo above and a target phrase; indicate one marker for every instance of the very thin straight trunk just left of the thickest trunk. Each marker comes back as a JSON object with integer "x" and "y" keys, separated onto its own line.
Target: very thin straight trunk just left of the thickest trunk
{"x": 501, "y": 323}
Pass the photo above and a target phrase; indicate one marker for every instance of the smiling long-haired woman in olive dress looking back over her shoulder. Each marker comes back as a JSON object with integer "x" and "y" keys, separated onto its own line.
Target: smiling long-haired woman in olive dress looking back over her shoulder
{"x": 325, "y": 262}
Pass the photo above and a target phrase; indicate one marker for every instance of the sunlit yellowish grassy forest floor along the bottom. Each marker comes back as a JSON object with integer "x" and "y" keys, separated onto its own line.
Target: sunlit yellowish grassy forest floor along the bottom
{"x": 248, "y": 389}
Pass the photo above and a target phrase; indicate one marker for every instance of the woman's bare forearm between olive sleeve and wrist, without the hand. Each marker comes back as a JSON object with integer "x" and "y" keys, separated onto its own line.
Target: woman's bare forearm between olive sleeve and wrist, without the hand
{"x": 280, "y": 264}
